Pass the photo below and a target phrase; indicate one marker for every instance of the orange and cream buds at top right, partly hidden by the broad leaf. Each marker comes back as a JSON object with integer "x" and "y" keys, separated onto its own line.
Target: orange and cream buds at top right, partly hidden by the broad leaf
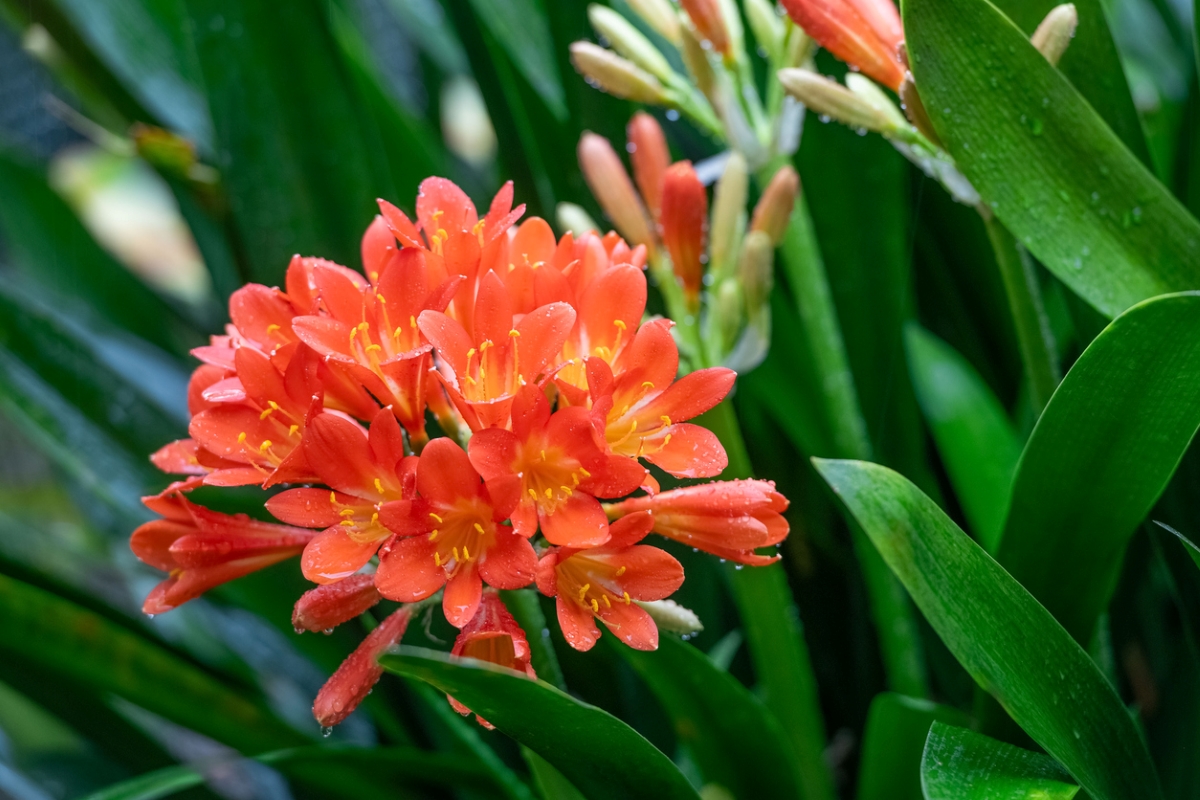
{"x": 868, "y": 35}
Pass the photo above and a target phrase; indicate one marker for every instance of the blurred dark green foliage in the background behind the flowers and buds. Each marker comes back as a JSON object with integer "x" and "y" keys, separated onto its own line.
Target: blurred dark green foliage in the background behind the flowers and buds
{"x": 158, "y": 154}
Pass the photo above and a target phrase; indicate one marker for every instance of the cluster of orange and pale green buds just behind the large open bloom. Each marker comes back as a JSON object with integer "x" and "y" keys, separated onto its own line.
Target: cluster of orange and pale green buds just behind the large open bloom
{"x": 715, "y": 269}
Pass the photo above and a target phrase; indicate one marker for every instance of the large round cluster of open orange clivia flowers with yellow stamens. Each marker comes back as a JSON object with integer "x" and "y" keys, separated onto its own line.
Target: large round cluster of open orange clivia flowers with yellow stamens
{"x": 475, "y": 412}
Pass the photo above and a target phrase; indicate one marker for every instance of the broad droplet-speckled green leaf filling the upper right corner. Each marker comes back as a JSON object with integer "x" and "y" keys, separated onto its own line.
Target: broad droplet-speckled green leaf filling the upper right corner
{"x": 1046, "y": 163}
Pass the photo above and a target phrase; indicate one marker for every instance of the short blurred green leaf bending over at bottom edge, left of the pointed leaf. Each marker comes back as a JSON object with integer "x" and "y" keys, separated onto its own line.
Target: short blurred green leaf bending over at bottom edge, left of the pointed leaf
{"x": 893, "y": 743}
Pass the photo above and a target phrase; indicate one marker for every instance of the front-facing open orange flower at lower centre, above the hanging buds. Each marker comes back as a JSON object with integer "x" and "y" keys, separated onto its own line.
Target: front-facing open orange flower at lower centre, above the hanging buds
{"x": 452, "y": 536}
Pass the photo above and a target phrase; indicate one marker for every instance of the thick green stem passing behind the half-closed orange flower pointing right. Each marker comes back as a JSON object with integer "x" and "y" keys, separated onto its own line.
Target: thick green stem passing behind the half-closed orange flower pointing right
{"x": 776, "y": 637}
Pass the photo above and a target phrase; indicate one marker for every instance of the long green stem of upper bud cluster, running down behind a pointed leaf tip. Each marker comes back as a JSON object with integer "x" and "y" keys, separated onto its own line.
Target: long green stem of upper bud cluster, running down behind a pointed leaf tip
{"x": 895, "y": 617}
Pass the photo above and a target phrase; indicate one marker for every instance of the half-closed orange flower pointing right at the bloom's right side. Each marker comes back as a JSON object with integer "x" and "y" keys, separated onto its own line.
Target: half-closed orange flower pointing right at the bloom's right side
{"x": 729, "y": 520}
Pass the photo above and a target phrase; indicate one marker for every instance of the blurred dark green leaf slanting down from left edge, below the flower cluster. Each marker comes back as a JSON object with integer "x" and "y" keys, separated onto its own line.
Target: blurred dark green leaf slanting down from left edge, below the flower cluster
{"x": 79, "y": 646}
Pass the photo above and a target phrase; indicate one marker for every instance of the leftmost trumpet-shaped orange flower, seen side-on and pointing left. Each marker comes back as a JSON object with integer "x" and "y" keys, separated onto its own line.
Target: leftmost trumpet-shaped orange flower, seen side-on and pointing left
{"x": 201, "y": 549}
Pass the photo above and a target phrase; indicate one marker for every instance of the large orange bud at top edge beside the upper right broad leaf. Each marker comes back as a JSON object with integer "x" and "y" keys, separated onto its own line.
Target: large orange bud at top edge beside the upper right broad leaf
{"x": 865, "y": 34}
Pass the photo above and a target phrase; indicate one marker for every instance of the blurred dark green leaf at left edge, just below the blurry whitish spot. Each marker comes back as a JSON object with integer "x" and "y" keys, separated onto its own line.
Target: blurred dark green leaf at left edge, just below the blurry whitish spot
{"x": 49, "y": 244}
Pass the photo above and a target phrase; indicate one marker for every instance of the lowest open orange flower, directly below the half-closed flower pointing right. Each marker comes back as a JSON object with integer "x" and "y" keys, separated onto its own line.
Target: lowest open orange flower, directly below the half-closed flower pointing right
{"x": 604, "y": 582}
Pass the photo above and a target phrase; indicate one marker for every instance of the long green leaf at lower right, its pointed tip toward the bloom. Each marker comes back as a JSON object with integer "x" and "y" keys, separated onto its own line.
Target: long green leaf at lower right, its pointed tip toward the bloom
{"x": 999, "y": 633}
